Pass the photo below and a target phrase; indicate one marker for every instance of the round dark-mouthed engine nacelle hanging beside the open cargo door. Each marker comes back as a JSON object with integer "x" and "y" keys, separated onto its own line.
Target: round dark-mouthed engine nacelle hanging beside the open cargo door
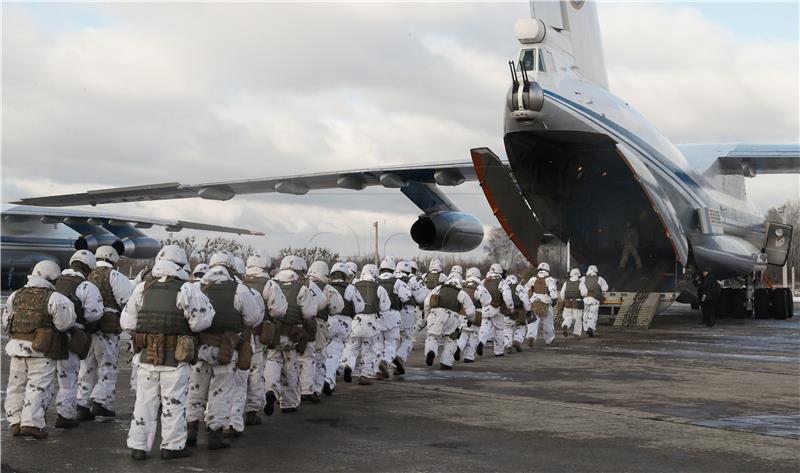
{"x": 447, "y": 231}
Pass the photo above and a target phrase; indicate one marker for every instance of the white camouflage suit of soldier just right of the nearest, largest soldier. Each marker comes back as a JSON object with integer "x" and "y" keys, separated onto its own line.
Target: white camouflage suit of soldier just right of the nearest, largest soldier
{"x": 212, "y": 384}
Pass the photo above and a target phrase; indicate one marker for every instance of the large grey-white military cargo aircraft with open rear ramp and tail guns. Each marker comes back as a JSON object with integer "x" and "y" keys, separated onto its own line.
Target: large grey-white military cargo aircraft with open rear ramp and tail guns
{"x": 582, "y": 164}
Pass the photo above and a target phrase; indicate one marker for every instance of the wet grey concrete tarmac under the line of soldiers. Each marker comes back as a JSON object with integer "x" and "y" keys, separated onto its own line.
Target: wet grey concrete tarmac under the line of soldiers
{"x": 676, "y": 398}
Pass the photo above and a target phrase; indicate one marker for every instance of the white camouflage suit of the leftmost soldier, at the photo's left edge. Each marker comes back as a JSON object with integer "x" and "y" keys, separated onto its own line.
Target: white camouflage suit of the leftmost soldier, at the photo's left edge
{"x": 31, "y": 374}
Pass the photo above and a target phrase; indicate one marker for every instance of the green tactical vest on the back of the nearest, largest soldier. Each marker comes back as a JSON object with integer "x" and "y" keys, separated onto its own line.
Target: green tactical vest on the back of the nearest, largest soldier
{"x": 159, "y": 313}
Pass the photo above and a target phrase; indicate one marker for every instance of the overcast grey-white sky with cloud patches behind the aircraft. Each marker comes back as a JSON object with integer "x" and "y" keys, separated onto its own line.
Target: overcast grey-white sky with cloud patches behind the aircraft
{"x": 121, "y": 94}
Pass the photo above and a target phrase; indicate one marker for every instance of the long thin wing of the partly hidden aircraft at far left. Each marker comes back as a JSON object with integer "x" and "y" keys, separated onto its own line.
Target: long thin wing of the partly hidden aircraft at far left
{"x": 79, "y": 217}
